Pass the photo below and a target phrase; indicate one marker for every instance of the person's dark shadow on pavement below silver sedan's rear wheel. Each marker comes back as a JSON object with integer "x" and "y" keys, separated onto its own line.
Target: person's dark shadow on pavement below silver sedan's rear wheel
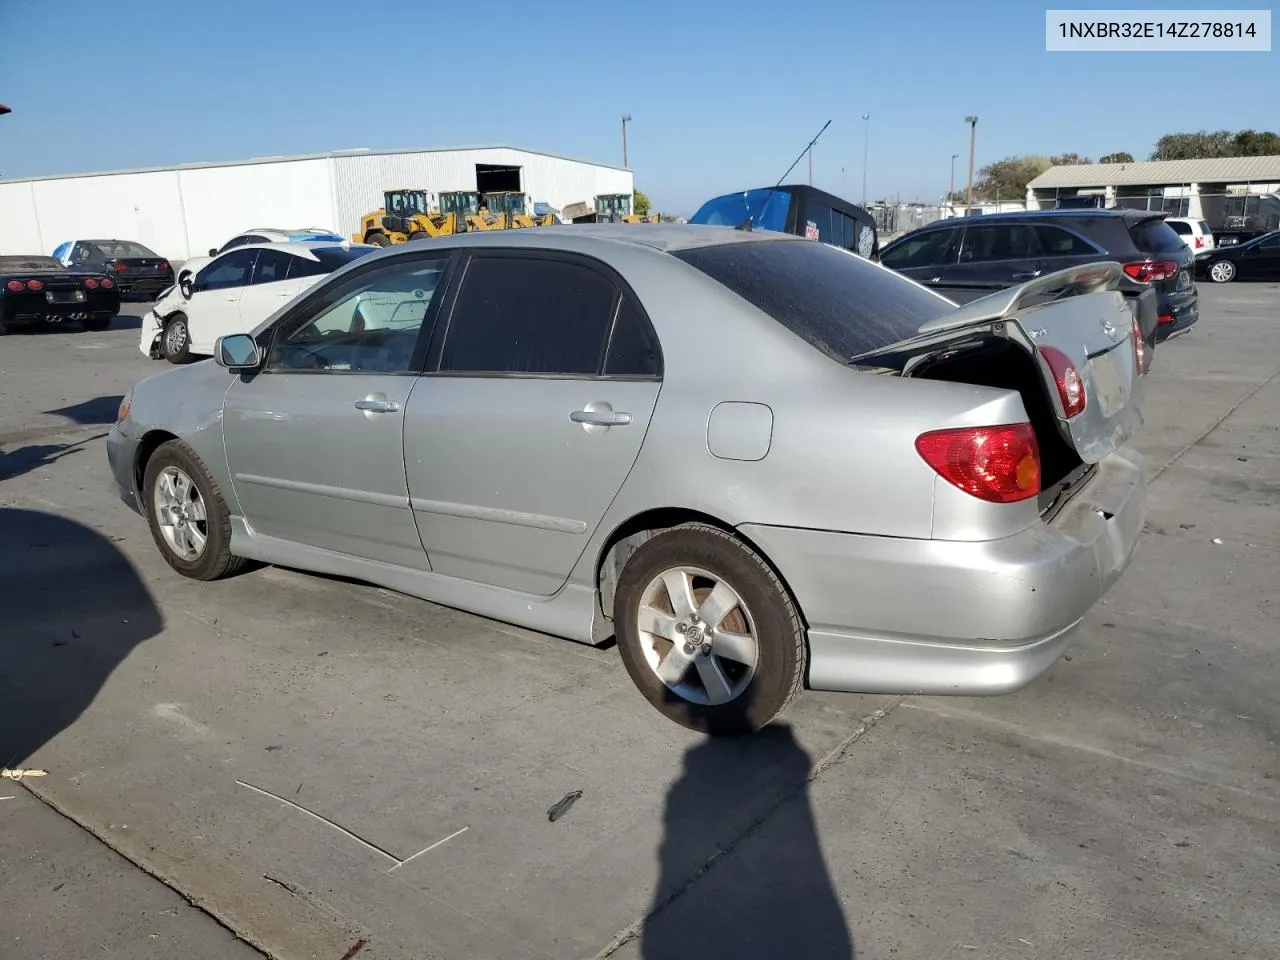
{"x": 771, "y": 897}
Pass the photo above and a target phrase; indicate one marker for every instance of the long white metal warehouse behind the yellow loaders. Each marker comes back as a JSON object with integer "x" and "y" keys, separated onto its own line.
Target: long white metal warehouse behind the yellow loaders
{"x": 182, "y": 212}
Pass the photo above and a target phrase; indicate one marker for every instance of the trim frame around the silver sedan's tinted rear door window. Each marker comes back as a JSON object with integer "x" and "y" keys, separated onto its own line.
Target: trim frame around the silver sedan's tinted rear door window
{"x": 621, "y": 290}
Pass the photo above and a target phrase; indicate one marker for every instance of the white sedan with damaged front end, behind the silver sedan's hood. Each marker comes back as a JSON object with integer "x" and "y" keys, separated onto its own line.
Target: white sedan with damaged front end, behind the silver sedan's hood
{"x": 235, "y": 292}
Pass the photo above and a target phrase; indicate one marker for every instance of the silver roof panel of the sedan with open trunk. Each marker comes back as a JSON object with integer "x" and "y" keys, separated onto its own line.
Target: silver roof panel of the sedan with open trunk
{"x": 664, "y": 237}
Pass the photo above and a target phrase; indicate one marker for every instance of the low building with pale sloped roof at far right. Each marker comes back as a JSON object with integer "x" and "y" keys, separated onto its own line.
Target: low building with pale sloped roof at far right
{"x": 1240, "y": 193}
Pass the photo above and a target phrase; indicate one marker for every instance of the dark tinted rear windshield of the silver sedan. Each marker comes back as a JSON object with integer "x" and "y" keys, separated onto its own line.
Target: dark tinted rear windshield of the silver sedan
{"x": 835, "y": 301}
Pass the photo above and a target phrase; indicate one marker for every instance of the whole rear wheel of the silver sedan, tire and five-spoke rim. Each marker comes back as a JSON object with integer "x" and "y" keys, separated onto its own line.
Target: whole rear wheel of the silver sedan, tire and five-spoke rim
{"x": 708, "y": 633}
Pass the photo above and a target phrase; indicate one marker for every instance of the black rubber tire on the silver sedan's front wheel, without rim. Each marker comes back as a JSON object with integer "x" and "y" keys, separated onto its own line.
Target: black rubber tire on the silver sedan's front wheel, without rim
{"x": 217, "y": 560}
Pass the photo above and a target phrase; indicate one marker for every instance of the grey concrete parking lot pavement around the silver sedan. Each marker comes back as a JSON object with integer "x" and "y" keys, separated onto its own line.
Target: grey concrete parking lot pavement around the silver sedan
{"x": 318, "y": 764}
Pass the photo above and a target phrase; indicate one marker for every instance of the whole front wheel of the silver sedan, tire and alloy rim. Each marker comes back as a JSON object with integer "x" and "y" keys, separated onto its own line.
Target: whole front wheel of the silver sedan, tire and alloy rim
{"x": 188, "y": 515}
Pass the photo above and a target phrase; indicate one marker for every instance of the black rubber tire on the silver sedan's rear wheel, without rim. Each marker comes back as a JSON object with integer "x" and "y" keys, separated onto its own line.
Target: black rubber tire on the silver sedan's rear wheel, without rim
{"x": 779, "y": 632}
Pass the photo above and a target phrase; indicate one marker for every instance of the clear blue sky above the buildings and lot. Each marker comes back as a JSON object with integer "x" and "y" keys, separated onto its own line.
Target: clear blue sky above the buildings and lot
{"x": 724, "y": 95}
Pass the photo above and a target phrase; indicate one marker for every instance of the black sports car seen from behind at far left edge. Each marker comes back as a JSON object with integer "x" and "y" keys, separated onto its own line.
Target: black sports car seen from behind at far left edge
{"x": 36, "y": 290}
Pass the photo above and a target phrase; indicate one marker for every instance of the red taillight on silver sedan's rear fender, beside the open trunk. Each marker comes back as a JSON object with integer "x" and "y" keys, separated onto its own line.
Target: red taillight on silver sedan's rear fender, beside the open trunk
{"x": 994, "y": 464}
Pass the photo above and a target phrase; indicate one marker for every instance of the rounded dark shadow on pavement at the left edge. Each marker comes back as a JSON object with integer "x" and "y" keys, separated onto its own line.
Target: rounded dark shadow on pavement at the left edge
{"x": 74, "y": 610}
